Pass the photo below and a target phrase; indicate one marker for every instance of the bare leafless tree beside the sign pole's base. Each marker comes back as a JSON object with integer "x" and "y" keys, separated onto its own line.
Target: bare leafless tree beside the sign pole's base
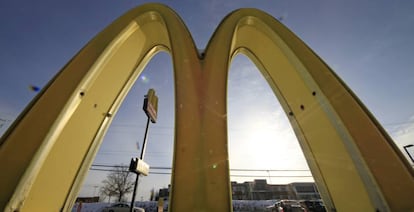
{"x": 119, "y": 182}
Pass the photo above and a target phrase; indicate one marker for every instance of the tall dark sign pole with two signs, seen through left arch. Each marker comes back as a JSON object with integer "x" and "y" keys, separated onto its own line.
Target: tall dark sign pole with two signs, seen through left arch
{"x": 138, "y": 165}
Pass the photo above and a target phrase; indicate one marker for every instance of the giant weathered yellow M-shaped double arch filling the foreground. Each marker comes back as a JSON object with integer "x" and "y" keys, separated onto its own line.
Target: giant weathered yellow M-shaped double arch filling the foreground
{"x": 355, "y": 163}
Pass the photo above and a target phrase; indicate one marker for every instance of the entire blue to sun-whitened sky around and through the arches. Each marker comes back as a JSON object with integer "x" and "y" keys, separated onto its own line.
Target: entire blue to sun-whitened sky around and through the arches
{"x": 368, "y": 44}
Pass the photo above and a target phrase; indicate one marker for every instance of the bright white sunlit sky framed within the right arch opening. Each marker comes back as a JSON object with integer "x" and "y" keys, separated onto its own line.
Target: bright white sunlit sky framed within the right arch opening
{"x": 260, "y": 135}
